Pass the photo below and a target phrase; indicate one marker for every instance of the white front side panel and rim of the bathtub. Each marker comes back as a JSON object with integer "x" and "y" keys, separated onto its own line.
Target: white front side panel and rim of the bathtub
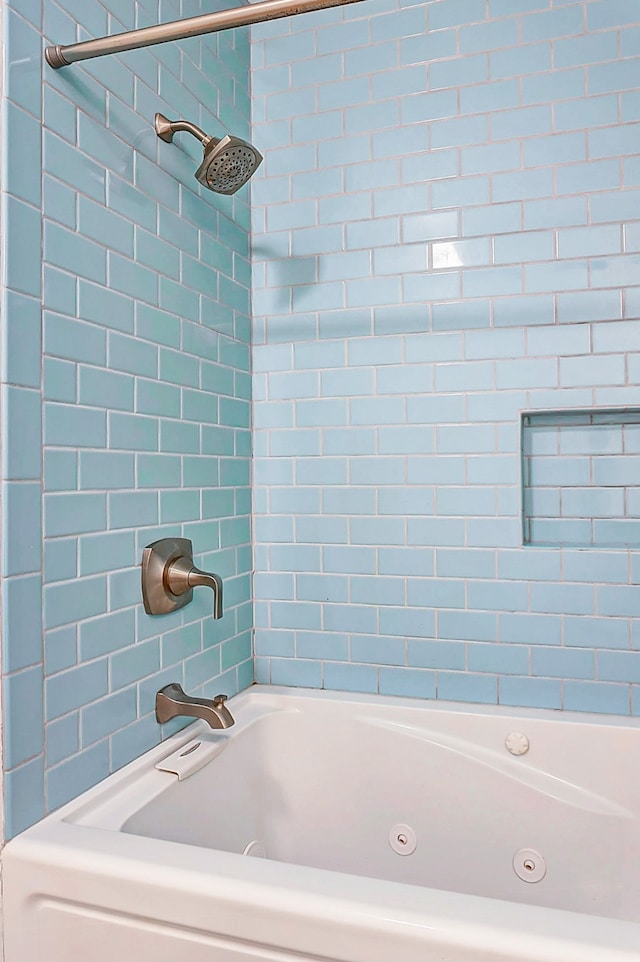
{"x": 81, "y": 897}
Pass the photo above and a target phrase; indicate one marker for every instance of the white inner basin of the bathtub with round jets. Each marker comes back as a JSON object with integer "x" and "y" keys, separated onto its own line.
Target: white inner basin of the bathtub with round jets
{"x": 350, "y": 786}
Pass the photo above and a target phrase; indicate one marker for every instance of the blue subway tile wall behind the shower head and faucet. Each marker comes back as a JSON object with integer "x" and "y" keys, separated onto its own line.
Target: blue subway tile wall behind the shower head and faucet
{"x": 128, "y": 286}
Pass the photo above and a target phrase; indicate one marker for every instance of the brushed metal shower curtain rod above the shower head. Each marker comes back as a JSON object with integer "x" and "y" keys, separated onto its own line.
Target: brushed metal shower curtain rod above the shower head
{"x": 58, "y": 56}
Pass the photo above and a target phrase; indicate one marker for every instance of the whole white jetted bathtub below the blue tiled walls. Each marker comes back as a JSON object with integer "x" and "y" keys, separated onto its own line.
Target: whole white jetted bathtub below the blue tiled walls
{"x": 150, "y": 868}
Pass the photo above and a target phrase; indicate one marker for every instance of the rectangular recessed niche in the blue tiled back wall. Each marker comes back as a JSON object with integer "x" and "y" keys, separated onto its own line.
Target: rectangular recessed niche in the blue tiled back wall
{"x": 581, "y": 478}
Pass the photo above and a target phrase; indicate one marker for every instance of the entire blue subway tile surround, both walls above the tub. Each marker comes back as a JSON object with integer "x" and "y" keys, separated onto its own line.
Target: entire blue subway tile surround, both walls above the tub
{"x": 446, "y": 253}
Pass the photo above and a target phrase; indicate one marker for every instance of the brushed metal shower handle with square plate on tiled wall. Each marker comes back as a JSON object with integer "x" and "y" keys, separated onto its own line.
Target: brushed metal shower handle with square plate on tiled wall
{"x": 169, "y": 577}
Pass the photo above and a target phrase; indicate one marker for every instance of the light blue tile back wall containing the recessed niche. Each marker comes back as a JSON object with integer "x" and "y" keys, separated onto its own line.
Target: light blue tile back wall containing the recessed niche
{"x": 445, "y": 236}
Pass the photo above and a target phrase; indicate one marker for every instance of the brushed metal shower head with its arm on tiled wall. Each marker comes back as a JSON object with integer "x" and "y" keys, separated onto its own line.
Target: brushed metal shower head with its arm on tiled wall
{"x": 228, "y": 162}
